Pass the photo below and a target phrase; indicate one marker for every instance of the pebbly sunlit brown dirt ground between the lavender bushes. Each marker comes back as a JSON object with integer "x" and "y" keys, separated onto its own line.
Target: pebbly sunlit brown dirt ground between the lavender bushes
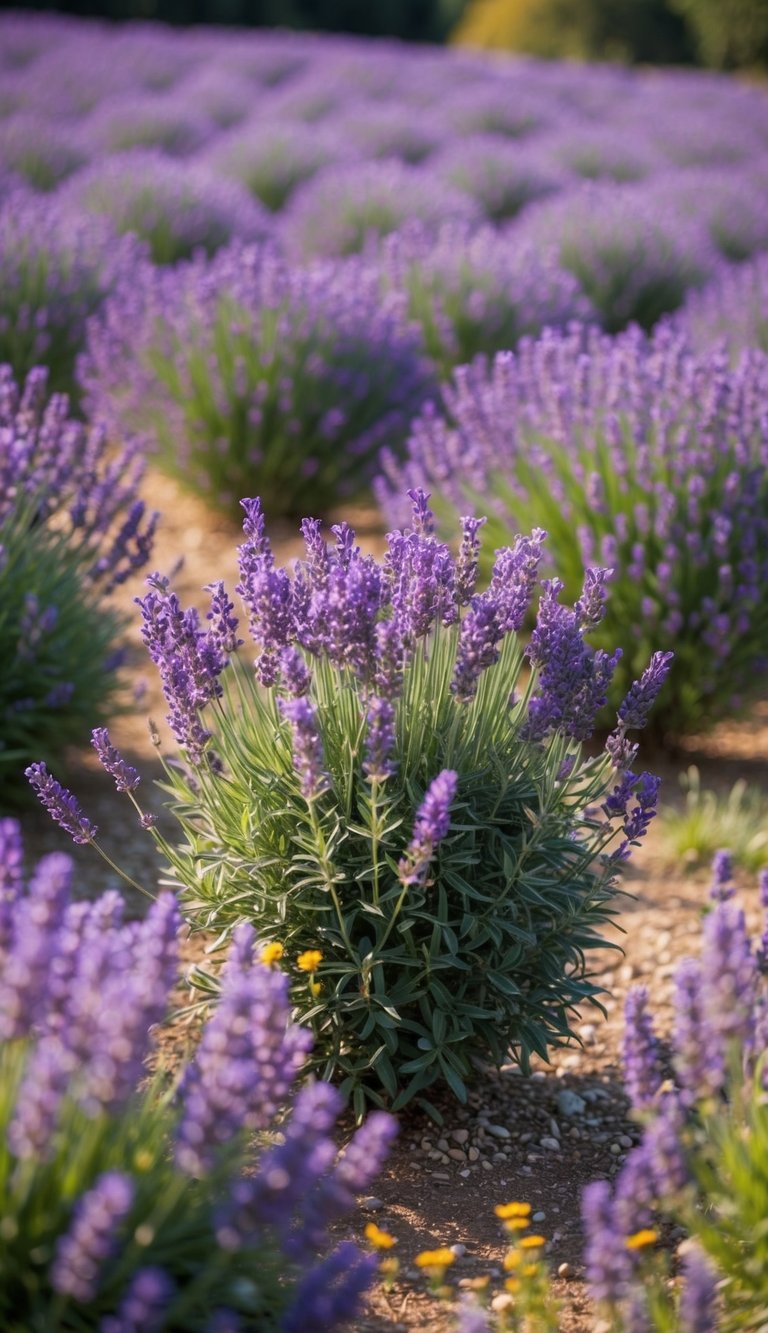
{"x": 537, "y": 1139}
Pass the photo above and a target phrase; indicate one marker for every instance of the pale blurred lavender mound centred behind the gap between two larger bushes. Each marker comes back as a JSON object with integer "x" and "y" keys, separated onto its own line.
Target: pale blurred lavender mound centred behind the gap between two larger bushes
{"x": 347, "y": 207}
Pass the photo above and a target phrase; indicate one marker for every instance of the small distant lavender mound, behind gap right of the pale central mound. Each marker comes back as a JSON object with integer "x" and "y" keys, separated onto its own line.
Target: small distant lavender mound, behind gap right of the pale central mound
{"x": 502, "y": 178}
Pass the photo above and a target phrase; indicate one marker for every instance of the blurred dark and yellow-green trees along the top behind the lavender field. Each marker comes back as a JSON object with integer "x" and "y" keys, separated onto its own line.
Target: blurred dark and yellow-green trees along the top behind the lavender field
{"x": 722, "y": 34}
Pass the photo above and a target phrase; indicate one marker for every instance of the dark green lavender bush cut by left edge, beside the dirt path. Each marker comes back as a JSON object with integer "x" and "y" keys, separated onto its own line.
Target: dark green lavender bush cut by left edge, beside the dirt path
{"x": 71, "y": 530}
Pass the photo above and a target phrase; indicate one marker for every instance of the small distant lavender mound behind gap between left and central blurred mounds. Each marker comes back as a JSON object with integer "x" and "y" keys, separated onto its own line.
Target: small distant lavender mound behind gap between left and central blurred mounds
{"x": 273, "y": 158}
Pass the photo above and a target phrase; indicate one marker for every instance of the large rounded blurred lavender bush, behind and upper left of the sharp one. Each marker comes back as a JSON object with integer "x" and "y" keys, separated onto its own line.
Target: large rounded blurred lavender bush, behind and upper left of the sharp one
{"x": 243, "y": 370}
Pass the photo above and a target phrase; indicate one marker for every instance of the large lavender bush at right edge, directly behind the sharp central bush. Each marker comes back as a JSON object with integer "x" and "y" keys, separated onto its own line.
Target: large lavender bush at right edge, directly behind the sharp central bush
{"x": 639, "y": 454}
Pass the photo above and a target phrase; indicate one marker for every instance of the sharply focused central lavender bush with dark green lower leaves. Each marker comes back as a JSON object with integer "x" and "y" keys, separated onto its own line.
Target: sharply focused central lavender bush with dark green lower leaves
{"x": 381, "y": 800}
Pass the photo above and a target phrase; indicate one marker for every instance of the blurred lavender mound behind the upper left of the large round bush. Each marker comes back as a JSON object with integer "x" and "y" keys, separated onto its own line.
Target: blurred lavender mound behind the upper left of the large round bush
{"x": 175, "y": 207}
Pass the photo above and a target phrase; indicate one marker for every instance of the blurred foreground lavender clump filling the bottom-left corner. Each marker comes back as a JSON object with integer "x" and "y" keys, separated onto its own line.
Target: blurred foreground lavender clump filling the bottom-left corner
{"x": 158, "y": 1210}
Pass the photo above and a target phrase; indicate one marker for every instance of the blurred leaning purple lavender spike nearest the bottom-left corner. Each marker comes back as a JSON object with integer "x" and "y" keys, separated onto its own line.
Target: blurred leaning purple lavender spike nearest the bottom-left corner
{"x": 93, "y": 1240}
